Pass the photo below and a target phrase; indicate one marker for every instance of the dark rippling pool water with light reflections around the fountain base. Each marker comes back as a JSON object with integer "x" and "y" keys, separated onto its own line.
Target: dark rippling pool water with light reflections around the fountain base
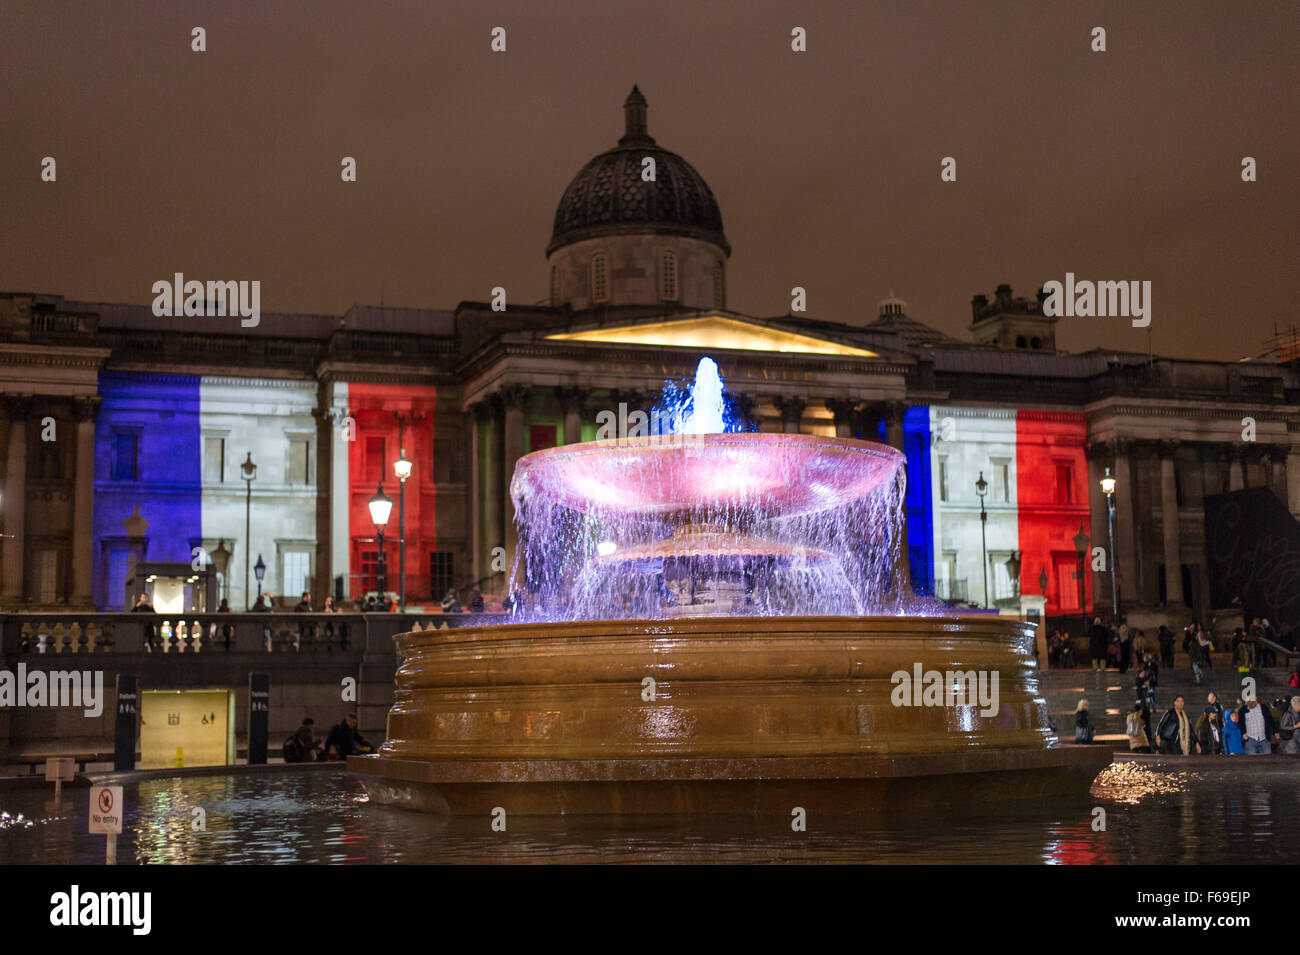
{"x": 1217, "y": 811}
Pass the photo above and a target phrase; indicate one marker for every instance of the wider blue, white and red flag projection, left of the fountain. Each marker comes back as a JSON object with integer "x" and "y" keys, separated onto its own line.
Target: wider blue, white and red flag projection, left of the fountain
{"x": 170, "y": 479}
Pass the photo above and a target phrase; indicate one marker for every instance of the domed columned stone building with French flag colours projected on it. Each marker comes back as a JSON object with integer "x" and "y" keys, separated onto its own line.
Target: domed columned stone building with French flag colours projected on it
{"x": 157, "y": 416}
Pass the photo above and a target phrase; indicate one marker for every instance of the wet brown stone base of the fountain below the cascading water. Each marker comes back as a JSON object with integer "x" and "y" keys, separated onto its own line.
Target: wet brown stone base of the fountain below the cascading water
{"x": 744, "y": 714}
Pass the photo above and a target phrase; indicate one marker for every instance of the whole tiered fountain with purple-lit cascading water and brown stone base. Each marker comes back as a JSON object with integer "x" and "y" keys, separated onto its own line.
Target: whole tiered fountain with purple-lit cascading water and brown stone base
{"x": 716, "y": 620}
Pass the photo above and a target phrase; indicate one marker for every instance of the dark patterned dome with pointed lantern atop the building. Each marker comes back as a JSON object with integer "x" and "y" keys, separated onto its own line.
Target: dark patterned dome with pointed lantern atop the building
{"x": 609, "y": 197}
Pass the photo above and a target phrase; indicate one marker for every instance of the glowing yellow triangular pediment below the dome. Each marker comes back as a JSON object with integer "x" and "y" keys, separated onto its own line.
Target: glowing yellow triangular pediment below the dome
{"x": 713, "y": 332}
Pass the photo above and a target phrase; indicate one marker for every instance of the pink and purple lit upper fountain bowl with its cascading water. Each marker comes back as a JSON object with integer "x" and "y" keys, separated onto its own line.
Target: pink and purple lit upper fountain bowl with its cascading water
{"x": 705, "y": 520}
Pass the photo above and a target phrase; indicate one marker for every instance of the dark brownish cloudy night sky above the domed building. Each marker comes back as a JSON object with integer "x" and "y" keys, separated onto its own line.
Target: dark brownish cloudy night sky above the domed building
{"x": 226, "y": 166}
